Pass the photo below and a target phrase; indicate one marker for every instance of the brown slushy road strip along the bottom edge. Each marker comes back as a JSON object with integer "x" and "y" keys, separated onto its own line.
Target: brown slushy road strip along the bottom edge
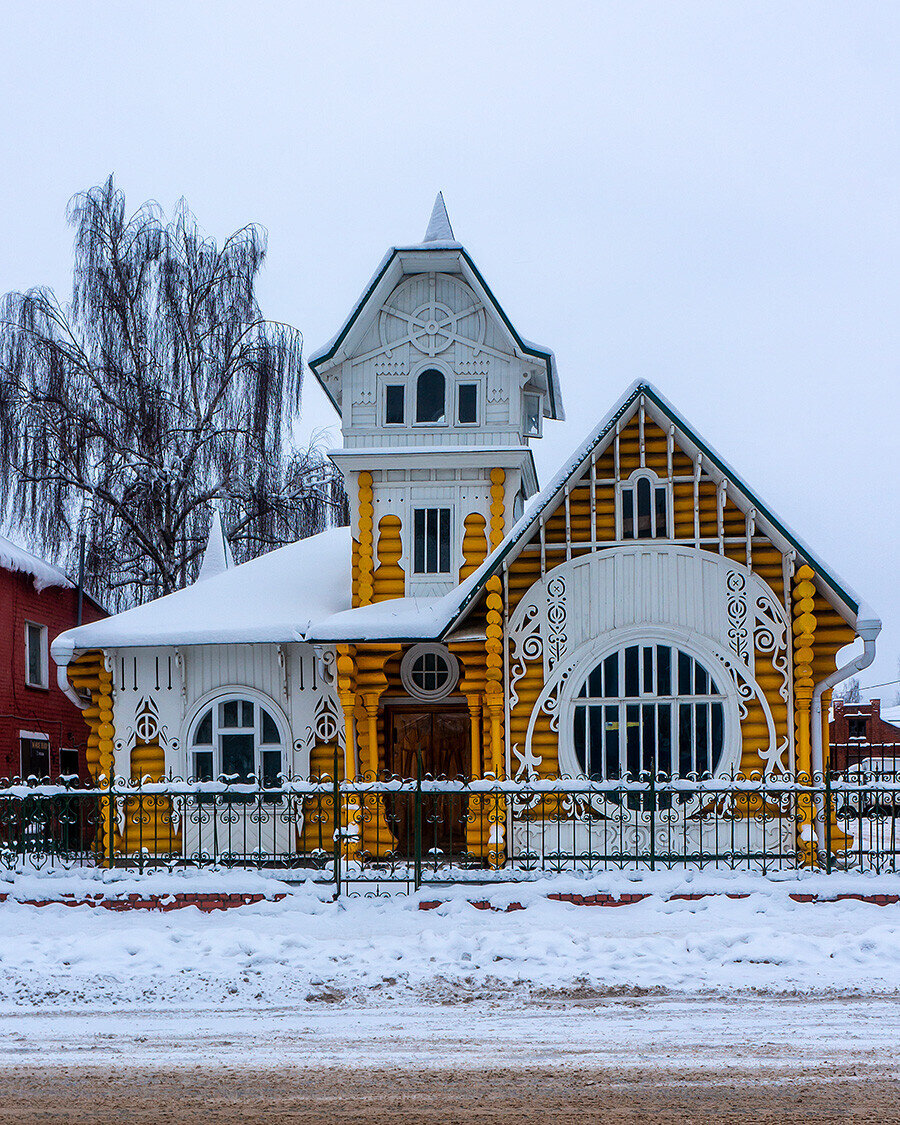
{"x": 340, "y": 1097}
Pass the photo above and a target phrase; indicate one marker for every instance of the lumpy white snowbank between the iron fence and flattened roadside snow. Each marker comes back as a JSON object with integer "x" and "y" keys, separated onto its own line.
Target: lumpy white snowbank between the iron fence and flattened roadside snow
{"x": 362, "y": 952}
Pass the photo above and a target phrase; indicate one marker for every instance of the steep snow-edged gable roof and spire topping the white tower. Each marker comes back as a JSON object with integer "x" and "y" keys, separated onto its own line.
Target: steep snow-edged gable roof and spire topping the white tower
{"x": 439, "y": 239}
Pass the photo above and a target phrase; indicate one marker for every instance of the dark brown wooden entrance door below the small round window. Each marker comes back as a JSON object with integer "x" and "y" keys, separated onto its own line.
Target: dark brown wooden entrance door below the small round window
{"x": 443, "y": 741}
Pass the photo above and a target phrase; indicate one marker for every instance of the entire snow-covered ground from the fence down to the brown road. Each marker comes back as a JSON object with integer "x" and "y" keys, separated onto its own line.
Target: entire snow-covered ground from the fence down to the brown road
{"x": 755, "y": 984}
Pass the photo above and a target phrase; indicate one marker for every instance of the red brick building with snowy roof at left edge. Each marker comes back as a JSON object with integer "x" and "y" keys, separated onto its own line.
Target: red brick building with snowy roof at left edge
{"x": 42, "y": 733}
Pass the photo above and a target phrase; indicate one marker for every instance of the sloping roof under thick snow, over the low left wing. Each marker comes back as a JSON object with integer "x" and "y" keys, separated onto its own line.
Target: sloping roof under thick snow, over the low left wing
{"x": 273, "y": 599}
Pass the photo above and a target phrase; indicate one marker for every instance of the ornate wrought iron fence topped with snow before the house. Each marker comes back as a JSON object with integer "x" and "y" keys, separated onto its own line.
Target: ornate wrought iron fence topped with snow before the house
{"x": 373, "y": 834}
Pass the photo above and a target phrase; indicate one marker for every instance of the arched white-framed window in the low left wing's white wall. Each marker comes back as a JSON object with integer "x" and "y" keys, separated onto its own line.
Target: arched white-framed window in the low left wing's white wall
{"x": 237, "y": 740}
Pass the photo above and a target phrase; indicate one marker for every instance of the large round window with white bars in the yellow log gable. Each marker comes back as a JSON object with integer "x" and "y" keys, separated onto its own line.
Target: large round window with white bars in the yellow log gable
{"x": 649, "y": 708}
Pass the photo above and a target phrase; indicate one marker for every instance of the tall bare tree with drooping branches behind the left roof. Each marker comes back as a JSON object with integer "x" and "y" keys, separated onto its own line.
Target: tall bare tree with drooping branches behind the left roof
{"x": 159, "y": 392}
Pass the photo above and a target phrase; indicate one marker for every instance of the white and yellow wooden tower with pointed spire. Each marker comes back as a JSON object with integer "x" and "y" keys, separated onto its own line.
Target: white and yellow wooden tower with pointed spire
{"x": 439, "y": 398}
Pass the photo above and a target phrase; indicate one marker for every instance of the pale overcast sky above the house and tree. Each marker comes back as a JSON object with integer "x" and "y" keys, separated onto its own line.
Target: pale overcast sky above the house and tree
{"x": 704, "y": 195}
